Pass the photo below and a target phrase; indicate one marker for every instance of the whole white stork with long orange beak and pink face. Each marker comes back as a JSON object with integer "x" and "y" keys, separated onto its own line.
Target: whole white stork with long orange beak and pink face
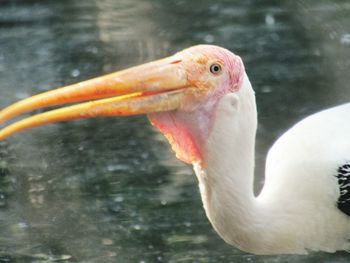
{"x": 201, "y": 99}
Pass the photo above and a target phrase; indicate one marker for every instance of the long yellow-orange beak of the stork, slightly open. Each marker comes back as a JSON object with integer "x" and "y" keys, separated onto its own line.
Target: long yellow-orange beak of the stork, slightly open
{"x": 152, "y": 87}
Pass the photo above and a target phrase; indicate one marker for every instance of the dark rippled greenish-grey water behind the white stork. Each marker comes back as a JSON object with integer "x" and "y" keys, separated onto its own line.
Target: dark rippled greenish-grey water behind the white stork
{"x": 110, "y": 190}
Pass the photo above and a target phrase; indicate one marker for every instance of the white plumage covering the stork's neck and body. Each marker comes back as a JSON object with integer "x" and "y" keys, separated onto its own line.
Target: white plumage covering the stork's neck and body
{"x": 296, "y": 210}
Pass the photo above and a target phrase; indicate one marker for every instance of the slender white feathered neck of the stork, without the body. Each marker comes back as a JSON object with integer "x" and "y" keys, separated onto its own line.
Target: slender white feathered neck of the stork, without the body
{"x": 226, "y": 181}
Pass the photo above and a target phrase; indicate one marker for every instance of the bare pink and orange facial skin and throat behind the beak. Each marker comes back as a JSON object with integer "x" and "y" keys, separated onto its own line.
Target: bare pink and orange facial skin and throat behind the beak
{"x": 188, "y": 128}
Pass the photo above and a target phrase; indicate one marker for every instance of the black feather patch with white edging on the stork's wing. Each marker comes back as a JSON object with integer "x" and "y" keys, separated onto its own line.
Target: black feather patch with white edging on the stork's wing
{"x": 344, "y": 187}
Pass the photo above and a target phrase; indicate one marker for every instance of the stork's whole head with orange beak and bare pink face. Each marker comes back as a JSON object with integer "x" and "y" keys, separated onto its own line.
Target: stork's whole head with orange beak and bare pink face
{"x": 179, "y": 93}
